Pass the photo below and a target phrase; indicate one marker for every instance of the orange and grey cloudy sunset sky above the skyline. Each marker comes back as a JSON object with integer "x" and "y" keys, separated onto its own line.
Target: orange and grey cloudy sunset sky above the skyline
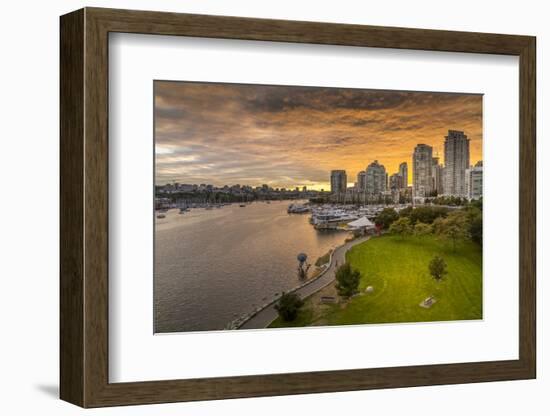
{"x": 224, "y": 134}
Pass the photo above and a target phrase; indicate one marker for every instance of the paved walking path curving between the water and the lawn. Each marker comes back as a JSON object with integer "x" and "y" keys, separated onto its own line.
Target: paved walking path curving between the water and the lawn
{"x": 263, "y": 317}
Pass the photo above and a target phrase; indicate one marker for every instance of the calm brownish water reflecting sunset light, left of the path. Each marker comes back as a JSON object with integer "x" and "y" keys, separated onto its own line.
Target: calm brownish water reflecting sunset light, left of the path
{"x": 214, "y": 265}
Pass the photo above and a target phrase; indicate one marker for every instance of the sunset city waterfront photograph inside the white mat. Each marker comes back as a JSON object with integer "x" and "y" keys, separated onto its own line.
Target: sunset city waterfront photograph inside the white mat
{"x": 279, "y": 206}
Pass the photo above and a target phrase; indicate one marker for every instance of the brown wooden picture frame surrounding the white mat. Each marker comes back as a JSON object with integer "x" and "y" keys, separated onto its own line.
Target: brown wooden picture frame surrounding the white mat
{"x": 84, "y": 207}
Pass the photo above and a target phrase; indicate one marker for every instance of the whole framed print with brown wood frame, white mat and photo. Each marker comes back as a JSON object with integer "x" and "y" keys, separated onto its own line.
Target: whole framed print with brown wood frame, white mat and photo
{"x": 257, "y": 207}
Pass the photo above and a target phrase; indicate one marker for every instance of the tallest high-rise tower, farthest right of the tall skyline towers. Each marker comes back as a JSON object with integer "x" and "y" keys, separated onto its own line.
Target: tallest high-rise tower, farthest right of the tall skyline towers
{"x": 457, "y": 160}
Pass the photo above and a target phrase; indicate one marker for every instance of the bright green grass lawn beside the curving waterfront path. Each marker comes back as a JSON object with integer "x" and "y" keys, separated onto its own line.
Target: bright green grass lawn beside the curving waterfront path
{"x": 397, "y": 268}
